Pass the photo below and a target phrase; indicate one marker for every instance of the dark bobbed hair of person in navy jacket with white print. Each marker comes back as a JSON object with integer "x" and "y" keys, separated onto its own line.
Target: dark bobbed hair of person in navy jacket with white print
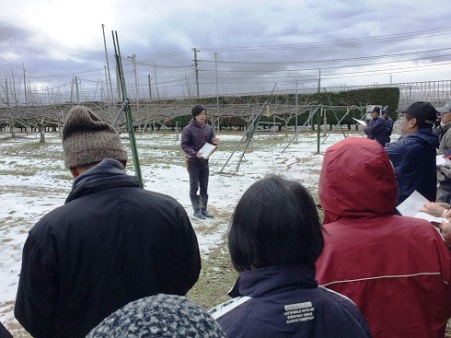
{"x": 275, "y": 223}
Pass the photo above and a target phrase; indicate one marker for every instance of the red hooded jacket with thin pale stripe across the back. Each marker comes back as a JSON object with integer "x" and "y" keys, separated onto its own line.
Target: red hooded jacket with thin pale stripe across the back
{"x": 395, "y": 268}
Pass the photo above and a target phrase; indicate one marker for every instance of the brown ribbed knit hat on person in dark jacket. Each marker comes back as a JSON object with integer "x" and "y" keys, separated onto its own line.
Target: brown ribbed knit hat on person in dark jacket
{"x": 87, "y": 139}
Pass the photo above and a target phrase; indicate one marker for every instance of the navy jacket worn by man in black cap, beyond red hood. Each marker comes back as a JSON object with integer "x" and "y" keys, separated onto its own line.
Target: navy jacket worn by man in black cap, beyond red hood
{"x": 414, "y": 159}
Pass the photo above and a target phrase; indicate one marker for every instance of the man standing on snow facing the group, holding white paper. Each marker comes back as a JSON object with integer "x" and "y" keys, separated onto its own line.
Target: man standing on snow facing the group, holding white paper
{"x": 194, "y": 138}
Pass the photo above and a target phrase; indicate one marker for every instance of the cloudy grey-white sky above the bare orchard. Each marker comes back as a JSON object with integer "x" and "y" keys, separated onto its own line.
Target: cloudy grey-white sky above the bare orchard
{"x": 242, "y": 46}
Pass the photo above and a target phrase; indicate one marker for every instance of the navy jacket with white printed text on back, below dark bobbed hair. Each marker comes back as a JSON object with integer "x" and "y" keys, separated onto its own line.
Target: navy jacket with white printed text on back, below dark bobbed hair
{"x": 287, "y": 302}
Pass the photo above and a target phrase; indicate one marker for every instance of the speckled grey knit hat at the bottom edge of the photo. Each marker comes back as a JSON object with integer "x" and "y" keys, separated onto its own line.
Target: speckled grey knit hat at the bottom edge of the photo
{"x": 161, "y": 315}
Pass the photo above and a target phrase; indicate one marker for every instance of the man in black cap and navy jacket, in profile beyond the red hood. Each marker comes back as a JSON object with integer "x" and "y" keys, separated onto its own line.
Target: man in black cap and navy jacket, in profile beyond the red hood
{"x": 413, "y": 155}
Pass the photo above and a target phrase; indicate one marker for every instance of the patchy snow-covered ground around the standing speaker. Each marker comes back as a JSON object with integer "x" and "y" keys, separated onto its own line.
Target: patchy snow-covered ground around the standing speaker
{"x": 33, "y": 181}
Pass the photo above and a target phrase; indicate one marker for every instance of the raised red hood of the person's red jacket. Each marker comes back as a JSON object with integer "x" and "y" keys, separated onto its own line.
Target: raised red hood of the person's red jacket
{"x": 357, "y": 180}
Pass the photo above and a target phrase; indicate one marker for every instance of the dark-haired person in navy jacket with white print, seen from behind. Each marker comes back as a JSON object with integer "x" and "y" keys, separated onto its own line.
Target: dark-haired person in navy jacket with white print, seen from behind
{"x": 275, "y": 239}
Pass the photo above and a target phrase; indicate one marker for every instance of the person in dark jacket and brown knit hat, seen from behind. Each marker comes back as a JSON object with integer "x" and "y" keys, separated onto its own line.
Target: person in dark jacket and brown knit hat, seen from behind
{"x": 109, "y": 244}
